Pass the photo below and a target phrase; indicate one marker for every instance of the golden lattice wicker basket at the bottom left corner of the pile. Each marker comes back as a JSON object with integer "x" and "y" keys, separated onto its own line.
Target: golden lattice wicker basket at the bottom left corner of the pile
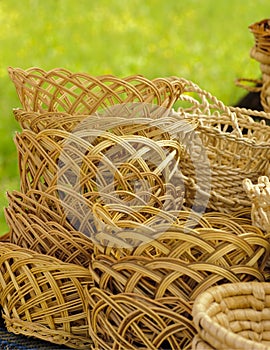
{"x": 44, "y": 297}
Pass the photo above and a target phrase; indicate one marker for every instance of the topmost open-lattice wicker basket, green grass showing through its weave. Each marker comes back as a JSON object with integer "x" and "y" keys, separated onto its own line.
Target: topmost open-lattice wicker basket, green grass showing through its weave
{"x": 59, "y": 90}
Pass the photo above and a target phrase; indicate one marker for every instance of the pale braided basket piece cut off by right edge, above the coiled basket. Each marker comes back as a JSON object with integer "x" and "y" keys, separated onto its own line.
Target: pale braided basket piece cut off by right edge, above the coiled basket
{"x": 259, "y": 195}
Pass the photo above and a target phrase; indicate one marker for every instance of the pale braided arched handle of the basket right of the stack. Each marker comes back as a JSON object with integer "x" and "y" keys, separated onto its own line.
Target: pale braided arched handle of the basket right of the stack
{"x": 207, "y": 104}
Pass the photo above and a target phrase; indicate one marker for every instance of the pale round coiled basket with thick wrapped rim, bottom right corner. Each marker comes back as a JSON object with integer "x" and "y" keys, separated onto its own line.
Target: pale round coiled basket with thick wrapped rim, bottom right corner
{"x": 233, "y": 316}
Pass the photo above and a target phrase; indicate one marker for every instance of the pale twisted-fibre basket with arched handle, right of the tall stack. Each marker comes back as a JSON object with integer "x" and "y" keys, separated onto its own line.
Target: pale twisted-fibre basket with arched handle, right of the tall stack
{"x": 236, "y": 145}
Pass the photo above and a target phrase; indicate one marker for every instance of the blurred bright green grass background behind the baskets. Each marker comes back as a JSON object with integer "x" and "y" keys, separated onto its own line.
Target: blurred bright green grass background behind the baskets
{"x": 206, "y": 41}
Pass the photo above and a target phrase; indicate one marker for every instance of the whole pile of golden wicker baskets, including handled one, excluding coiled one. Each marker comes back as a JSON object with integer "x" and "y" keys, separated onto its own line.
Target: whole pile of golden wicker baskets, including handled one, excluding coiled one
{"x": 121, "y": 268}
